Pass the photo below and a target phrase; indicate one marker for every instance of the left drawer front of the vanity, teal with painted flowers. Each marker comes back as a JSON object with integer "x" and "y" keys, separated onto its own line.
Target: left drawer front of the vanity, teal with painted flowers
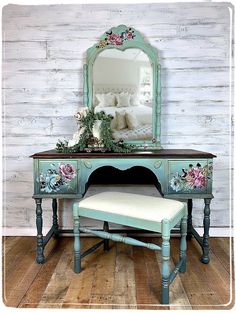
{"x": 57, "y": 177}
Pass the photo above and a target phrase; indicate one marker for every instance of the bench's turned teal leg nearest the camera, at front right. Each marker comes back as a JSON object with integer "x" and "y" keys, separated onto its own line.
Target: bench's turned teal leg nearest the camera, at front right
{"x": 165, "y": 262}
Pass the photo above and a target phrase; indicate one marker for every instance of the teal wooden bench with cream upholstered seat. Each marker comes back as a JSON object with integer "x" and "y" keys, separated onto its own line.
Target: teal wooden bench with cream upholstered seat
{"x": 134, "y": 210}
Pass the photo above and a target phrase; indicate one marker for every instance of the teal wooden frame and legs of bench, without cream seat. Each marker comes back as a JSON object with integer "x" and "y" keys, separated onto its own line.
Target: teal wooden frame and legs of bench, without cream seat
{"x": 164, "y": 227}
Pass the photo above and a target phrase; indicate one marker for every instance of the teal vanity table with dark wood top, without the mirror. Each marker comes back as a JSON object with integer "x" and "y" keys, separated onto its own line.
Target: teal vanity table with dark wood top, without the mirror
{"x": 182, "y": 174}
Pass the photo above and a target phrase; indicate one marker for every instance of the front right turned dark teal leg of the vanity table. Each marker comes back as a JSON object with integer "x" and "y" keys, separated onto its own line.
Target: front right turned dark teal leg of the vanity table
{"x": 206, "y": 223}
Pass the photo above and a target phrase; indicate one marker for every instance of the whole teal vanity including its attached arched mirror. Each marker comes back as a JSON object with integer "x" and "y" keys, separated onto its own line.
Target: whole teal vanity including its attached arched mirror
{"x": 122, "y": 79}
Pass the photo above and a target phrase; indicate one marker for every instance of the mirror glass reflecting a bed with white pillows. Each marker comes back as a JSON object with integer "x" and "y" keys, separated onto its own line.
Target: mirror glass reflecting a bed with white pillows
{"x": 123, "y": 88}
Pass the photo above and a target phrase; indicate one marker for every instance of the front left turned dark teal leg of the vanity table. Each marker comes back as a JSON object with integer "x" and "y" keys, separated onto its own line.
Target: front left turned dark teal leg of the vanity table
{"x": 39, "y": 224}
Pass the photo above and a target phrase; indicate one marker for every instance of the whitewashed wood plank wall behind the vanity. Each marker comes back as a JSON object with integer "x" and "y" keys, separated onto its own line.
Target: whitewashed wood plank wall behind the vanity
{"x": 44, "y": 50}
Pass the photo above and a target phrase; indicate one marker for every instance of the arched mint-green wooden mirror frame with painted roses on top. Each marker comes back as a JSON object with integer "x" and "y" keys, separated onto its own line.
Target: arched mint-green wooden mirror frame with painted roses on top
{"x": 134, "y": 41}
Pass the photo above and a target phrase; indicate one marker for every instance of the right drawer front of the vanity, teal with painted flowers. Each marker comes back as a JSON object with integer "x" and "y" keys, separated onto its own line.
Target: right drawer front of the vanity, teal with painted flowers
{"x": 189, "y": 176}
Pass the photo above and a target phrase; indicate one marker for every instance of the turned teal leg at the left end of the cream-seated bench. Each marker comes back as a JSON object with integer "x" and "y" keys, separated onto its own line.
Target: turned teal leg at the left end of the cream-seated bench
{"x": 77, "y": 254}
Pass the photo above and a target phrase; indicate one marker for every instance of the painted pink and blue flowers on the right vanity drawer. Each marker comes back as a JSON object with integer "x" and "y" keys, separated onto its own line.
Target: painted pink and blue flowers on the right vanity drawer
{"x": 192, "y": 178}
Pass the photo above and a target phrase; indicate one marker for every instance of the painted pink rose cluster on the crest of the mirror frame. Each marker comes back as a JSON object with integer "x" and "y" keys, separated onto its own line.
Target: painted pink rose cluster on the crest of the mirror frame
{"x": 116, "y": 39}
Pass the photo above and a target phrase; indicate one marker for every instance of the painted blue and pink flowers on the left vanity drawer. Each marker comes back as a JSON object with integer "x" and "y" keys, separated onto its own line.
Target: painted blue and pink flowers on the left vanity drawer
{"x": 56, "y": 177}
